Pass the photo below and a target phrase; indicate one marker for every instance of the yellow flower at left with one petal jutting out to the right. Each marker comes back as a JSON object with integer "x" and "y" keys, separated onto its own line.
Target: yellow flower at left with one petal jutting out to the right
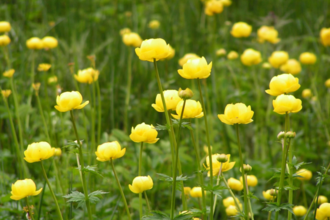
{"x": 68, "y": 101}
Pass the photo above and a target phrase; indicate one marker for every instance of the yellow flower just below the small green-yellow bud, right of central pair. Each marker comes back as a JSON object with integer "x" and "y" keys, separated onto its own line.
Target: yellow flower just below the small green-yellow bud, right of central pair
{"x": 193, "y": 109}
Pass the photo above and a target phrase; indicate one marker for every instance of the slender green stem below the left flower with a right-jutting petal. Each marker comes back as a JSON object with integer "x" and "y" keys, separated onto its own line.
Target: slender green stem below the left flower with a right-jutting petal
{"x": 81, "y": 168}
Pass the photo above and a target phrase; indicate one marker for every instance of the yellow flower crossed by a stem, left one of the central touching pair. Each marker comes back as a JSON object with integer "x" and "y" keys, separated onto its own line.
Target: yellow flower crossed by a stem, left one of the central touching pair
{"x": 171, "y": 100}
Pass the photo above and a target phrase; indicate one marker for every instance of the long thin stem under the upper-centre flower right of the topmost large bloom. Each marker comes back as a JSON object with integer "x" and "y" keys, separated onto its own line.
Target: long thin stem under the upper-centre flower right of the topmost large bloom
{"x": 208, "y": 145}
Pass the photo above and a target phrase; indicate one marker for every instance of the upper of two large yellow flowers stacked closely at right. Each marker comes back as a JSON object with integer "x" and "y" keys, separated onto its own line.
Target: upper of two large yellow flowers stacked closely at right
{"x": 283, "y": 84}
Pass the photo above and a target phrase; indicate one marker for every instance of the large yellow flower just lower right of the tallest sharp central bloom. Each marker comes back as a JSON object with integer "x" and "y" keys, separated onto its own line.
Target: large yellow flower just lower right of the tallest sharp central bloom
{"x": 196, "y": 69}
